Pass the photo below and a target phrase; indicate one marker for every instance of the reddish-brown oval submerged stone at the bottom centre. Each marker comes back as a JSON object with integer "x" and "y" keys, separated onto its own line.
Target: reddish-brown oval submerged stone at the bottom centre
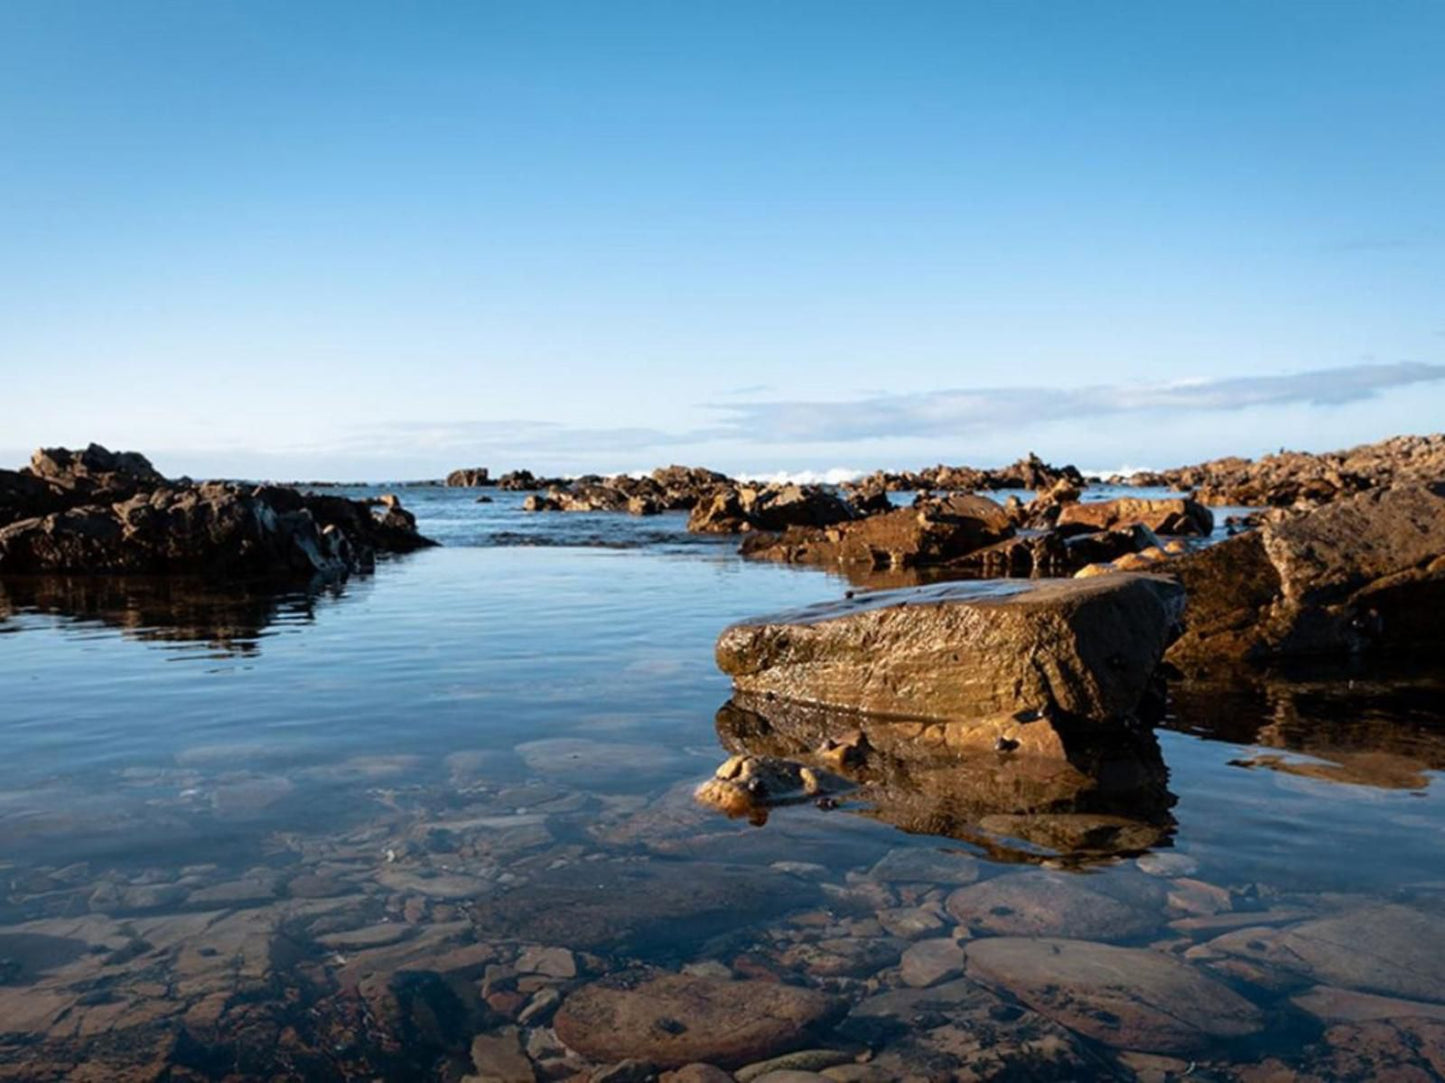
{"x": 676, "y": 1020}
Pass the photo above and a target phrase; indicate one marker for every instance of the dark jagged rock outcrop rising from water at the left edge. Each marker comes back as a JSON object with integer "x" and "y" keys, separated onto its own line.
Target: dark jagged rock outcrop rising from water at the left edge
{"x": 113, "y": 513}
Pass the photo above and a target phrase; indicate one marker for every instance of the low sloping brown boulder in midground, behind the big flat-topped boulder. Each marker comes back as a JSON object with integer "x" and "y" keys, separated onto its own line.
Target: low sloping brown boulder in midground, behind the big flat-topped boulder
{"x": 930, "y": 533}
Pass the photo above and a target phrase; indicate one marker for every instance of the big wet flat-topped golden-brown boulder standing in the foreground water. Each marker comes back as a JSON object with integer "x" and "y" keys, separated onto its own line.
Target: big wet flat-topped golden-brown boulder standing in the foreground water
{"x": 1087, "y": 648}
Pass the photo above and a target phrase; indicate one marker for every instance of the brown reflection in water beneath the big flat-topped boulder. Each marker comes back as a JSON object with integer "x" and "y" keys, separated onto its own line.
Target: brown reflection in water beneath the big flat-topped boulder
{"x": 1079, "y": 795}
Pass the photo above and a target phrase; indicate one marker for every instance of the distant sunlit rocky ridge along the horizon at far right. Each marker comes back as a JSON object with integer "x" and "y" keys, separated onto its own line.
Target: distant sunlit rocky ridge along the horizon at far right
{"x": 1295, "y": 478}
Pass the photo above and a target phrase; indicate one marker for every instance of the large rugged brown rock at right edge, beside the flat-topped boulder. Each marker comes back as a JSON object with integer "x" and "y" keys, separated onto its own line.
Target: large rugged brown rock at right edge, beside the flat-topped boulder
{"x": 1363, "y": 572}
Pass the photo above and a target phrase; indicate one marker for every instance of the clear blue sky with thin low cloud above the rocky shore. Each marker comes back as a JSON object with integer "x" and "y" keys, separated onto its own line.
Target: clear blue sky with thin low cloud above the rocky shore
{"x": 378, "y": 241}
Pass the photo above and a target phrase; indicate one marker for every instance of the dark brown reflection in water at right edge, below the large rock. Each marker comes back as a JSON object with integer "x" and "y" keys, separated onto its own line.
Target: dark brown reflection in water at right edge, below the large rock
{"x": 1373, "y": 725}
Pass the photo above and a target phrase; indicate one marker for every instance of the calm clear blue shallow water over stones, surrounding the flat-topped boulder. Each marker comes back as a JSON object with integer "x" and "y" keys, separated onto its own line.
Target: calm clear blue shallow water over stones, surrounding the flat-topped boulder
{"x": 248, "y": 823}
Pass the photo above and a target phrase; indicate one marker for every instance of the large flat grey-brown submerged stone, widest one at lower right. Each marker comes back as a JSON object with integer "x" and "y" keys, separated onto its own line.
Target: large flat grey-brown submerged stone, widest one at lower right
{"x": 1128, "y": 998}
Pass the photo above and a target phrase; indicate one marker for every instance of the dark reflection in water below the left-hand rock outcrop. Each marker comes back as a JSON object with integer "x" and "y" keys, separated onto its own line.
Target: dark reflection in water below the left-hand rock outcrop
{"x": 230, "y": 618}
